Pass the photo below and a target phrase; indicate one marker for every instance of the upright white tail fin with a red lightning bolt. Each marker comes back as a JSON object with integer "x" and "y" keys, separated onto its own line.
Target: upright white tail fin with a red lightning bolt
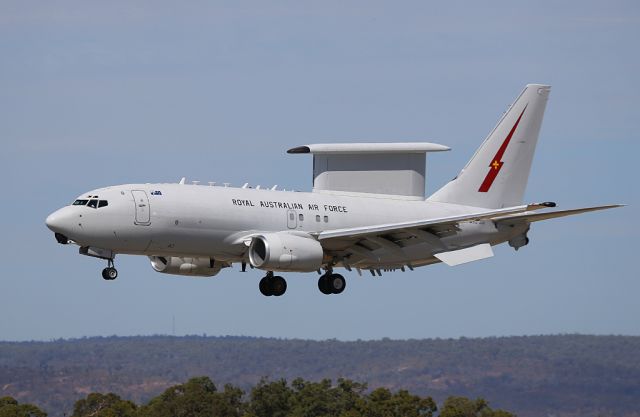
{"x": 497, "y": 174}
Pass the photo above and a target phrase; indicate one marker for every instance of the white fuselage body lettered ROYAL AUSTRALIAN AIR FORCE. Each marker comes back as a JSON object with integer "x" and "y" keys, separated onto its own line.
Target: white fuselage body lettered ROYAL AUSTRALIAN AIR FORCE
{"x": 211, "y": 221}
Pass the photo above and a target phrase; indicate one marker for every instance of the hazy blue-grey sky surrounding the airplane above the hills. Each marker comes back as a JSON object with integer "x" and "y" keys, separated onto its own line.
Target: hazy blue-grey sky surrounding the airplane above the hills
{"x": 100, "y": 93}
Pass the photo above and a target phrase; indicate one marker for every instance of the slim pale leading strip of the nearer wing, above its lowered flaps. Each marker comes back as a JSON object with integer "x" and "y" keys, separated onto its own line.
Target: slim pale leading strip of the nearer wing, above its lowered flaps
{"x": 381, "y": 229}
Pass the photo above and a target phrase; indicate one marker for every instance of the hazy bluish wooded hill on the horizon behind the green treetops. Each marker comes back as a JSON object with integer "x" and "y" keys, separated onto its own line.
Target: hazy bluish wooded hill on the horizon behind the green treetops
{"x": 566, "y": 375}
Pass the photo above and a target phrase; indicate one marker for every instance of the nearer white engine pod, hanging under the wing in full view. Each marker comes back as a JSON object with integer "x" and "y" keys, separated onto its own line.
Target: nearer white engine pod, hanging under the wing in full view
{"x": 285, "y": 252}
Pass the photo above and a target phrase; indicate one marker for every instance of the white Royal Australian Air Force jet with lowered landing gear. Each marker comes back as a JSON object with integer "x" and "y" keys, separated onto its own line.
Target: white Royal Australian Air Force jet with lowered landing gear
{"x": 367, "y": 211}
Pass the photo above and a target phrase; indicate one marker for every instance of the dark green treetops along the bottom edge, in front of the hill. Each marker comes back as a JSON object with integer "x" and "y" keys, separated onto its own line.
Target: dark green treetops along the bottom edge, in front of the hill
{"x": 200, "y": 397}
